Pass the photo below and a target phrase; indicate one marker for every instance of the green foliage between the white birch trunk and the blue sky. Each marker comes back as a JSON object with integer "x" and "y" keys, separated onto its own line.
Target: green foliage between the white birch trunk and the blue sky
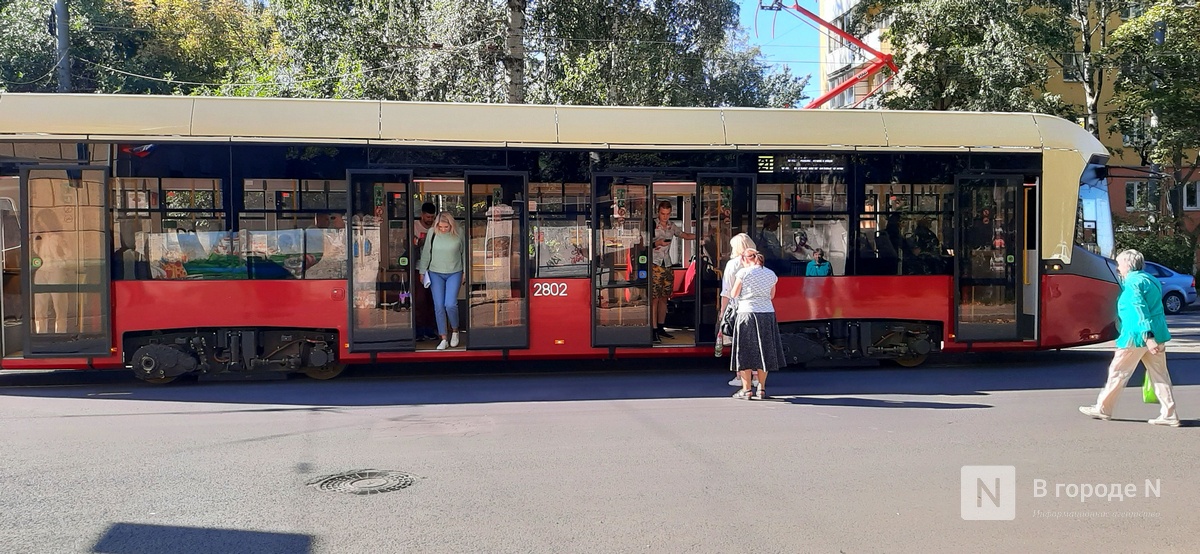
{"x": 637, "y": 53}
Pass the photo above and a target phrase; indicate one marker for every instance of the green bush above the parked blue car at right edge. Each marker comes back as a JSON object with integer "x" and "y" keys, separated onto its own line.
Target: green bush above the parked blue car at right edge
{"x": 1161, "y": 238}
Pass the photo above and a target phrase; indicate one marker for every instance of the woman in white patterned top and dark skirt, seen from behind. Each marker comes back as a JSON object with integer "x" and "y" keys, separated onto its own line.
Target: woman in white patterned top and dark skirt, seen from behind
{"x": 757, "y": 340}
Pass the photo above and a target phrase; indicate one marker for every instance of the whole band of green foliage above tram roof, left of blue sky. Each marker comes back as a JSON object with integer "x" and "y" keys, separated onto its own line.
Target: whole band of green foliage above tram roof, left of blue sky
{"x": 623, "y": 52}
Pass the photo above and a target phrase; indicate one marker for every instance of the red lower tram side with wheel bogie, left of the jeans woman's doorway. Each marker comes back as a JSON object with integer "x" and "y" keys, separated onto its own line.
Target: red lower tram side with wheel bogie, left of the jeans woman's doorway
{"x": 237, "y": 324}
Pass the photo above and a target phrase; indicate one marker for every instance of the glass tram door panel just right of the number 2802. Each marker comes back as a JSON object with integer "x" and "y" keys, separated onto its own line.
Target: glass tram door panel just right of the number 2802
{"x": 621, "y": 309}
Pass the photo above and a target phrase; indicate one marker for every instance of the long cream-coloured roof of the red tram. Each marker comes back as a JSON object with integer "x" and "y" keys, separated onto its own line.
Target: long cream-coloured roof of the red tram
{"x": 57, "y": 117}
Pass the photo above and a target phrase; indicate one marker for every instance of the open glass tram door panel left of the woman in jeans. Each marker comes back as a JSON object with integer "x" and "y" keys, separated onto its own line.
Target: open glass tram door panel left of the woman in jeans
{"x": 380, "y": 236}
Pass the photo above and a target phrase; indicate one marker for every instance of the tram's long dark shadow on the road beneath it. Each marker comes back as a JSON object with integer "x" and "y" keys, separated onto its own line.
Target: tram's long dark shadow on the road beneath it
{"x": 573, "y": 382}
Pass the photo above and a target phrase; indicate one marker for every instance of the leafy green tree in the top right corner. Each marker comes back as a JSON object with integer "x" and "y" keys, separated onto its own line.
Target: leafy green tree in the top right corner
{"x": 1157, "y": 97}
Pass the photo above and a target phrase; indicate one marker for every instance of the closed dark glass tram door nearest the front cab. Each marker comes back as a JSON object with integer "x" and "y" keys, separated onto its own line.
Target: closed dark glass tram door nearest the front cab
{"x": 991, "y": 263}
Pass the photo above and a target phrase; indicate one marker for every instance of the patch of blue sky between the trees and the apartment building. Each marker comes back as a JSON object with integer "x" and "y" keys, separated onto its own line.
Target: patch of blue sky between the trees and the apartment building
{"x": 785, "y": 38}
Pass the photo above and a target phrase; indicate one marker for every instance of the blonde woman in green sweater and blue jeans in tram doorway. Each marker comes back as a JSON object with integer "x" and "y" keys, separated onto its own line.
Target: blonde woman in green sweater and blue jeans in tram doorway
{"x": 443, "y": 261}
